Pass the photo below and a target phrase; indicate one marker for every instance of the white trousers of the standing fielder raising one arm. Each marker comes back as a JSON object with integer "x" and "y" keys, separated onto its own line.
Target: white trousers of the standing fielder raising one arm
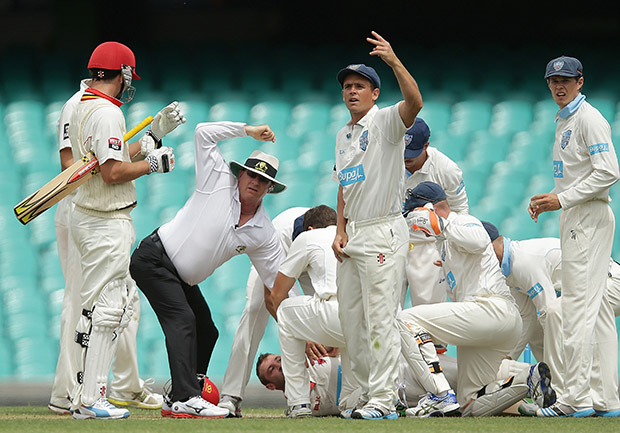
{"x": 369, "y": 288}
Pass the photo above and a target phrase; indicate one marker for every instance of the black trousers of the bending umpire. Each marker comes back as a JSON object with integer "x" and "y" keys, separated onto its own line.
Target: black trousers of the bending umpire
{"x": 182, "y": 312}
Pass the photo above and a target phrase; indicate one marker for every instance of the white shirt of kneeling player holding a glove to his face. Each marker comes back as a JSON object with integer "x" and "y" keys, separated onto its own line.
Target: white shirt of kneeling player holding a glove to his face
{"x": 468, "y": 260}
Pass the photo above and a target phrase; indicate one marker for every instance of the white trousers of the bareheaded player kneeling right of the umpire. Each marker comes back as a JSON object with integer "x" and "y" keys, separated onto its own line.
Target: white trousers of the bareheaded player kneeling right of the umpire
{"x": 308, "y": 318}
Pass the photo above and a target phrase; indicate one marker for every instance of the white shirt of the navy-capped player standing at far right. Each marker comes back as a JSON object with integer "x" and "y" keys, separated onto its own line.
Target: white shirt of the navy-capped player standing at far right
{"x": 585, "y": 164}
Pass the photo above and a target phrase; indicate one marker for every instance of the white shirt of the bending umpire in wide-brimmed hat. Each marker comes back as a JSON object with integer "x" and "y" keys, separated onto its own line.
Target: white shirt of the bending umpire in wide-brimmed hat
{"x": 204, "y": 233}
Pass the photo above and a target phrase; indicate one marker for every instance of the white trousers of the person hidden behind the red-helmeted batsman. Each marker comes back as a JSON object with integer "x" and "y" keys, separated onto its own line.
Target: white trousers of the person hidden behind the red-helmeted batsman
{"x": 126, "y": 378}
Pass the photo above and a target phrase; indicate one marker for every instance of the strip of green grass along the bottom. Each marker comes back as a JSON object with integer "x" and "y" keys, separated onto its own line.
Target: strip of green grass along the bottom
{"x": 38, "y": 419}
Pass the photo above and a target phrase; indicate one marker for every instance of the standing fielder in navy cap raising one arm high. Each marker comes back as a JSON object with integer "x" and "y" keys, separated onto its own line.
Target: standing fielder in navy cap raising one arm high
{"x": 372, "y": 238}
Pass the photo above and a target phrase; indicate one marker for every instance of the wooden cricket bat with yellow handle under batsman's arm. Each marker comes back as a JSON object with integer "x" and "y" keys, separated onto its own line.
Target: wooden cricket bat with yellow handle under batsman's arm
{"x": 65, "y": 183}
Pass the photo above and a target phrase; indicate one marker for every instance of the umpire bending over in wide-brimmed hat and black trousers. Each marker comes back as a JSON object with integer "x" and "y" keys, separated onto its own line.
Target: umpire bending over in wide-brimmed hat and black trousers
{"x": 223, "y": 217}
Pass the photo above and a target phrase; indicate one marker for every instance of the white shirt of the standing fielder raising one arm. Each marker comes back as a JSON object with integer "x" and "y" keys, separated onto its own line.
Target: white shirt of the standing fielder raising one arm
{"x": 369, "y": 164}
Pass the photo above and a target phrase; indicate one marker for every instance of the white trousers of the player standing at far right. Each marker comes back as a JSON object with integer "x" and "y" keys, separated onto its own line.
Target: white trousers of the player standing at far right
{"x": 586, "y": 237}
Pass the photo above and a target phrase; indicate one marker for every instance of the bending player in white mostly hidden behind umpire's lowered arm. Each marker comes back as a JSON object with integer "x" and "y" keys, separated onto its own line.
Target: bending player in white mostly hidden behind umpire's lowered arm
{"x": 254, "y": 320}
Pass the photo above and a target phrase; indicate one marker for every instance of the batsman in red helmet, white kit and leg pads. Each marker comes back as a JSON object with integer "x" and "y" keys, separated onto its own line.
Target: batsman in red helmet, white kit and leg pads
{"x": 101, "y": 224}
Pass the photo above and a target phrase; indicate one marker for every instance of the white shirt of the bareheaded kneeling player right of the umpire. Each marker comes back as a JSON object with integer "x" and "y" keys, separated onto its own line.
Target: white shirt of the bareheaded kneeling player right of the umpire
{"x": 311, "y": 252}
